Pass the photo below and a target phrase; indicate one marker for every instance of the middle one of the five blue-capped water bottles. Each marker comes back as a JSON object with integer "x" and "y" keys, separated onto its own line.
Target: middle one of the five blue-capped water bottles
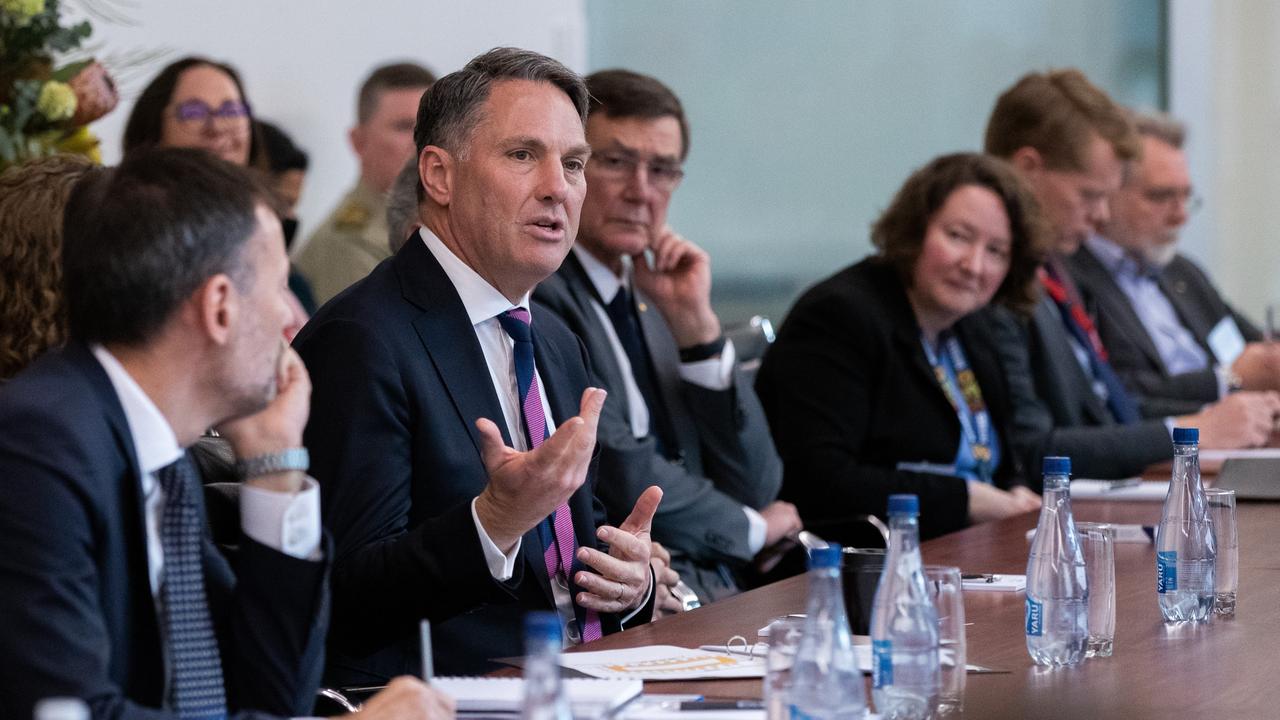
{"x": 906, "y": 671}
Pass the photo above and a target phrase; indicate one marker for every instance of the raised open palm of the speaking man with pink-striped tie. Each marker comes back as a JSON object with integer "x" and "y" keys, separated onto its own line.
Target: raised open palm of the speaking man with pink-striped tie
{"x": 527, "y": 487}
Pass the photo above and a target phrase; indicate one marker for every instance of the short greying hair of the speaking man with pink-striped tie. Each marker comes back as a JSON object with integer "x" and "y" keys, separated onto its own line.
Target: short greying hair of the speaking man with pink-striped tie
{"x": 452, "y": 107}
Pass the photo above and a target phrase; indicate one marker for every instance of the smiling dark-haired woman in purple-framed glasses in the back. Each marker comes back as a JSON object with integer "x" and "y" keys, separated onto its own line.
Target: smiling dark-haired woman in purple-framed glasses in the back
{"x": 199, "y": 103}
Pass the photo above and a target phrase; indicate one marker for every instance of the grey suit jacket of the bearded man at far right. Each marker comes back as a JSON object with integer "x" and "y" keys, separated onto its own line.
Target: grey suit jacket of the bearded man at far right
{"x": 1133, "y": 353}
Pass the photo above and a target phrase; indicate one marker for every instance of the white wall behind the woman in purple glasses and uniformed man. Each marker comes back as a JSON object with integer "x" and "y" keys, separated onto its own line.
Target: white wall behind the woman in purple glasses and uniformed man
{"x": 304, "y": 61}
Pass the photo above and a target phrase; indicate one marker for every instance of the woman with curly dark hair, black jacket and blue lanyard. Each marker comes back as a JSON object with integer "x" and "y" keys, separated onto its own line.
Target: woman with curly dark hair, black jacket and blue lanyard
{"x": 883, "y": 381}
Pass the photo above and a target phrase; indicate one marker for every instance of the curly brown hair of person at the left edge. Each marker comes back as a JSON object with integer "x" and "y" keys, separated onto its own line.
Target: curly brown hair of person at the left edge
{"x": 33, "y": 198}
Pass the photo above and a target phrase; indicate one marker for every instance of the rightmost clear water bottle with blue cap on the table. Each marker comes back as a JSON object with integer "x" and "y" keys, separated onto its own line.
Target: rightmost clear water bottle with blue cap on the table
{"x": 1185, "y": 539}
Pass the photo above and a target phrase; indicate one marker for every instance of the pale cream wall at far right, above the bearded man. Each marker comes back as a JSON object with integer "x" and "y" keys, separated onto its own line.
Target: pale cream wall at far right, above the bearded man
{"x": 1226, "y": 83}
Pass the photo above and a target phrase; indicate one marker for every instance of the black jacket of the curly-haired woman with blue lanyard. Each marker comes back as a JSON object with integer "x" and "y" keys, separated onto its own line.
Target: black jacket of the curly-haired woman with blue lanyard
{"x": 849, "y": 395}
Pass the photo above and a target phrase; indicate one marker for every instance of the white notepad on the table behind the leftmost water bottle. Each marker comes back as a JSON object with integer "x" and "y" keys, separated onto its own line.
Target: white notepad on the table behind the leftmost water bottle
{"x": 588, "y": 698}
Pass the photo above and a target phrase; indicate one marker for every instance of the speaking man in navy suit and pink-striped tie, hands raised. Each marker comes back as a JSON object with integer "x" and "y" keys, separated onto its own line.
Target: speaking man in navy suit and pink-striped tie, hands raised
{"x": 450, "y": 444}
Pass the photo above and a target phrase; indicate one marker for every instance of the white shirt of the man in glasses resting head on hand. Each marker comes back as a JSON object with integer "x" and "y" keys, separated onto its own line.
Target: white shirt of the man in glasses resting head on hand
{"x": 714, "y": 373}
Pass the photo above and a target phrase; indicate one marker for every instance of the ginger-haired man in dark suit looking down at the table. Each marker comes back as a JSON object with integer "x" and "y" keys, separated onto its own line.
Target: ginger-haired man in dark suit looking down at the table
{"x": 1071, "y": 142}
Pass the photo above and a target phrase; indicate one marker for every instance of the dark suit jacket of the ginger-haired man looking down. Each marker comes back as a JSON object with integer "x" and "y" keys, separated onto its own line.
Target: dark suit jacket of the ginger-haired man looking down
{"x": 1055, "y": 408}
